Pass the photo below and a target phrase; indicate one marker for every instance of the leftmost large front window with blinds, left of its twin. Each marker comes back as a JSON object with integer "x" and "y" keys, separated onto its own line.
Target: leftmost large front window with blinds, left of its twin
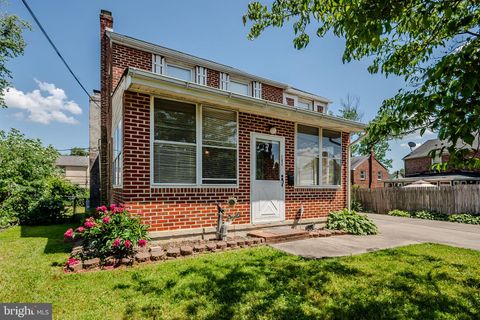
{"x": 175, "y": 148}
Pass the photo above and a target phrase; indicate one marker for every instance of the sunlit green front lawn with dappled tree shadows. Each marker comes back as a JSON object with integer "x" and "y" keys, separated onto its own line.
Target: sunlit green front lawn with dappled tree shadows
{"x": 415, "y": 282}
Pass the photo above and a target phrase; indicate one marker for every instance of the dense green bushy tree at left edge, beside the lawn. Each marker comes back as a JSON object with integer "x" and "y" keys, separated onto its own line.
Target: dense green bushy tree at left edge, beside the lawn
{"x": 32, "y": 190}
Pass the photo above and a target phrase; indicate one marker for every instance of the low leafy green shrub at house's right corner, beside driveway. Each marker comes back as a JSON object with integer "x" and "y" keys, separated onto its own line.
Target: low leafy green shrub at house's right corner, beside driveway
{"x": 351, "y": 222}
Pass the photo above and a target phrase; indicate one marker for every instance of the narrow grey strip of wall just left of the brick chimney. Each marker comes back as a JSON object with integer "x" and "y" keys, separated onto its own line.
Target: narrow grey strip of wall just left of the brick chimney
{"x": 94, "y": 147}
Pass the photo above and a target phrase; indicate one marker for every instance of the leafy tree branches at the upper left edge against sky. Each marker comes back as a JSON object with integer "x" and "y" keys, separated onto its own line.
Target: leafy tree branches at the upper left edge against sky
{"x": 12, "y": 45}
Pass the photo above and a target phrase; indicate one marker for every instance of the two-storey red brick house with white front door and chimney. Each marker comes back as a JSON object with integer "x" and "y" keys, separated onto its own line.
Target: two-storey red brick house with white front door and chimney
{"x": 180, "y": 134}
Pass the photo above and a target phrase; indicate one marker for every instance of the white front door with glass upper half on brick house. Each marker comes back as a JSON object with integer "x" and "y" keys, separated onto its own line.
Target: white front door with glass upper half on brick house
{"x": 267, "y": 178}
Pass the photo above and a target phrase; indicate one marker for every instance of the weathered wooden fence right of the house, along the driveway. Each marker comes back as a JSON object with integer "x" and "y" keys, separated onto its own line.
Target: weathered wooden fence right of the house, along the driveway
{"x": 447, "y": 199}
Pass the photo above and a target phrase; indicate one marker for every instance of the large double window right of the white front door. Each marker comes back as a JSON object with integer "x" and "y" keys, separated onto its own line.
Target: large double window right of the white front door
{"x": 318, "y": 158}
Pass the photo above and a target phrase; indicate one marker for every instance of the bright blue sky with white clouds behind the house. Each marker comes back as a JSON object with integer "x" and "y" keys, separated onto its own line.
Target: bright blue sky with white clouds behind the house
{"x": 210, "y": 29}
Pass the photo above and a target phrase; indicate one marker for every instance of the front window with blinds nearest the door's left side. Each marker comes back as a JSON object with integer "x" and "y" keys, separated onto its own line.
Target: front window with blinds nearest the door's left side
{"x": 219, "y": 146}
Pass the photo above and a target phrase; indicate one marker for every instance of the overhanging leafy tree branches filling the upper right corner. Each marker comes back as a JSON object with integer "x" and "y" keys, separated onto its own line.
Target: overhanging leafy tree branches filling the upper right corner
{"x": 433, "y": 45}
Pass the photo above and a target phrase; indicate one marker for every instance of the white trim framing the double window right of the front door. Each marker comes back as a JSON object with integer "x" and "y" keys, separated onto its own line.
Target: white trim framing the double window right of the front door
{"x": 320, "y": 165}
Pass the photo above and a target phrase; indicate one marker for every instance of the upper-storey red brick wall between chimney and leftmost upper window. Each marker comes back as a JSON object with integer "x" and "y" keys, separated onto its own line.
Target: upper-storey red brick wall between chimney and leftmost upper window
{"x": 123, "y": 57}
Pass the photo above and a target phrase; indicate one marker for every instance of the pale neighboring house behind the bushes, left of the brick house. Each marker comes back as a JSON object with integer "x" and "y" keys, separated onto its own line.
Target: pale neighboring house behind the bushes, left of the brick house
{"x": 75, "y": 169}
